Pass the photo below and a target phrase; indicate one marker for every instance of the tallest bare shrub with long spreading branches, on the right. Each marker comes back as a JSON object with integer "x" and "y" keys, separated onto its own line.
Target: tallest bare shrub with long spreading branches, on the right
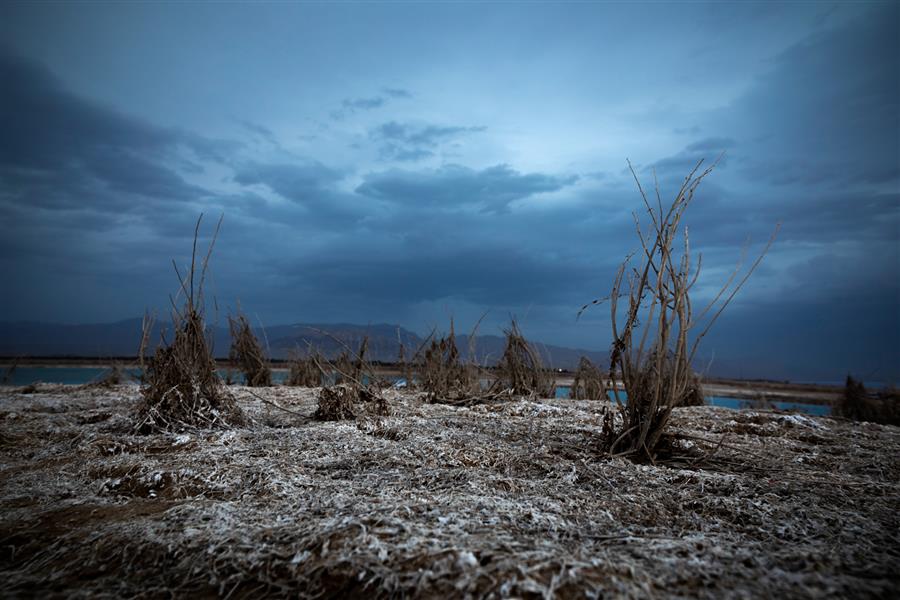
{"x": 650, "y": 350}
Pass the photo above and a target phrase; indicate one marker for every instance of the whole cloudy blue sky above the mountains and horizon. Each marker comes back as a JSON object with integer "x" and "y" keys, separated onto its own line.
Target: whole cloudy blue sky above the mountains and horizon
{"x": 410, "y": 162}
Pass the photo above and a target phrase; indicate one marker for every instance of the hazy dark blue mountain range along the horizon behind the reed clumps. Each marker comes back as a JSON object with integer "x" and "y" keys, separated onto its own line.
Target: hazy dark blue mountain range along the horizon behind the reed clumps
{"x": 122, "y": 339}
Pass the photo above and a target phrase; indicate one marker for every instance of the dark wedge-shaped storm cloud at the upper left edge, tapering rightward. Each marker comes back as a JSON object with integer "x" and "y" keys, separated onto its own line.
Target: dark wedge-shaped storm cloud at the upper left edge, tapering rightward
{"x": 60, "y": 150}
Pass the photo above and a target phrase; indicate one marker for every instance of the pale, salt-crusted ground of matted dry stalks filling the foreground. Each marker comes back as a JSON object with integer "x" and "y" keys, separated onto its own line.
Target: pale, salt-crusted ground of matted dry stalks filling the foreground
{"x": 504, "y": 500}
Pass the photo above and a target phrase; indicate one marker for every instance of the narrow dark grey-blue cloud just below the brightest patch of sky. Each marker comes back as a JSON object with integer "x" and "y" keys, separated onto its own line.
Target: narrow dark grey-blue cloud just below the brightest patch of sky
{"x": 453, "y": 186}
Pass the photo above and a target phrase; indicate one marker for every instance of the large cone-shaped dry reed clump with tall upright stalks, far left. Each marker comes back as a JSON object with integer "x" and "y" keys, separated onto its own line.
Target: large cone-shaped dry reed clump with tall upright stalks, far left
{"x": 181, "y": 389}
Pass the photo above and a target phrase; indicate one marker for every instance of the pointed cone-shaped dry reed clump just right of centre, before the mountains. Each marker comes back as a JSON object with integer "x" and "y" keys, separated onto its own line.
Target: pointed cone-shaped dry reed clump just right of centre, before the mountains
{"x": 521, "y": 371}
